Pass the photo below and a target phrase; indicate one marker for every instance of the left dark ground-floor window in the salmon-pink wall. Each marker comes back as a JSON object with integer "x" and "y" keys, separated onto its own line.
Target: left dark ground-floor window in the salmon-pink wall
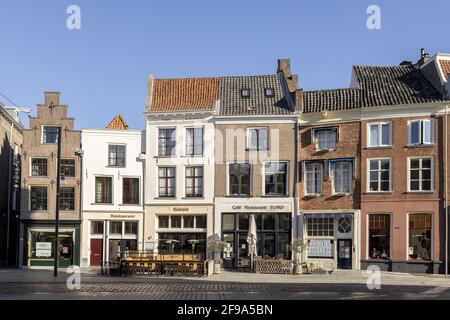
{"x": 379, "y": 236}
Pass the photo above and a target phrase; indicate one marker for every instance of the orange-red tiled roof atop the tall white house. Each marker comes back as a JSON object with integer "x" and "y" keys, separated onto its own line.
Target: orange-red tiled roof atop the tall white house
{"x": 184, "y": 94}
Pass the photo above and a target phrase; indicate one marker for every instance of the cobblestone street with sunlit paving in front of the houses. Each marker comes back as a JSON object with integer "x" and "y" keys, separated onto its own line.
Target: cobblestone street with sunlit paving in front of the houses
{"x": 27, "y": 284}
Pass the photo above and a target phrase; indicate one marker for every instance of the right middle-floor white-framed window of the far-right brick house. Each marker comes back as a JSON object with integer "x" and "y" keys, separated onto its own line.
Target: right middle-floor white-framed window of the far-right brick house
{"x": 421, "y": 174}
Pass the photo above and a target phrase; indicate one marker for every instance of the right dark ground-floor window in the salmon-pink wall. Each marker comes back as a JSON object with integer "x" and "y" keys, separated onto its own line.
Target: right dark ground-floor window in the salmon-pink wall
{"x": 419, "y": 246}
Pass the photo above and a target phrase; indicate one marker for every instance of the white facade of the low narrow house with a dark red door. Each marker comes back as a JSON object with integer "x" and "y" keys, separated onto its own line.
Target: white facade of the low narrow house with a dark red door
{"x": 95, "y": 145}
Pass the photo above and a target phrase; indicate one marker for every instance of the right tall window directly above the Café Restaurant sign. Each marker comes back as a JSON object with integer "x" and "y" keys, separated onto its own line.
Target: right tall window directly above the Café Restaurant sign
{"x": 275, "y": 178}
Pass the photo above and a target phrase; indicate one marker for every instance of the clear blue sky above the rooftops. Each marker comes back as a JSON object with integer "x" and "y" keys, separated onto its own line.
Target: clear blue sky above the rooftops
{"x": 102, "y": 69}
